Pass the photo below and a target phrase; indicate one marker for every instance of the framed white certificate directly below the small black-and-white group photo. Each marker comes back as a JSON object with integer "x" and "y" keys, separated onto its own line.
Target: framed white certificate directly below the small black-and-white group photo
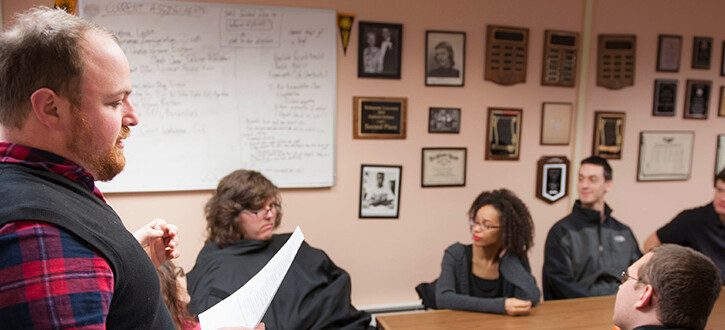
{"x": 443, "y": 167}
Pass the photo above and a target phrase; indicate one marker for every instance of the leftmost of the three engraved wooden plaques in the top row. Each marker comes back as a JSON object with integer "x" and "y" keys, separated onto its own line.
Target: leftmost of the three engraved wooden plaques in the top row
{"x": 506, "y": 54}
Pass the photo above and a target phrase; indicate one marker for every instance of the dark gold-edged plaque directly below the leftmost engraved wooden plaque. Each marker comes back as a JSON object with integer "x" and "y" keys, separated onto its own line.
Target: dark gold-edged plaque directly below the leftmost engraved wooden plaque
{"x": 503, "y": 134}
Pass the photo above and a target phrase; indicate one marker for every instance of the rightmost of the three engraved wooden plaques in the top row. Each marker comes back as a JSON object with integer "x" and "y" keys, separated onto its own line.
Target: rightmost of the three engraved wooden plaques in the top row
{"x": 615, "y": 61}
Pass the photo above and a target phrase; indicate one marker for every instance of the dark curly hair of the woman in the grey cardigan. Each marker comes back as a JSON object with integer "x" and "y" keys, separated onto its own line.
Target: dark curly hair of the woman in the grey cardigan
{"x": 517, "y": 227}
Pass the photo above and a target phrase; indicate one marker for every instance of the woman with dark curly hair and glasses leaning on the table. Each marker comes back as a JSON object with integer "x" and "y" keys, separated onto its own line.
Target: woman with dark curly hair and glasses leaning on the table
{"x": 491, "y": 275}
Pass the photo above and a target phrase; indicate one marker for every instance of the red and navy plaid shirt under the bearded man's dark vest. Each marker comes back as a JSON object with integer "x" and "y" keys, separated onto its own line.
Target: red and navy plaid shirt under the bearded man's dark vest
{"x": 49, "y": 277}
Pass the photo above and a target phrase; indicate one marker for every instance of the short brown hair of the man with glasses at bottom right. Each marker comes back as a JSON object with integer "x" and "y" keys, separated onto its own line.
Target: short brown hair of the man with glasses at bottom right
{"x": 686, "y": 282}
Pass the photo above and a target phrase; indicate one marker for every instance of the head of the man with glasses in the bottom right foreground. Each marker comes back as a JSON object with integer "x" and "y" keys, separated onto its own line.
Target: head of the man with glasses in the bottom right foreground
{"x": 670, "y": 287}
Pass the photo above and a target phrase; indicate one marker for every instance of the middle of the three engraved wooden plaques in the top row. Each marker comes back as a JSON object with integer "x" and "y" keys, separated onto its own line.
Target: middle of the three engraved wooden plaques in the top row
{"x": 560, "y": 56}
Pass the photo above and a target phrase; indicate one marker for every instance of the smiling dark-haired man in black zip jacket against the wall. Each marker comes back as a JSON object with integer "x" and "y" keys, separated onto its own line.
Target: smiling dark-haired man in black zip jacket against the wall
{"x": 587, "y": 250}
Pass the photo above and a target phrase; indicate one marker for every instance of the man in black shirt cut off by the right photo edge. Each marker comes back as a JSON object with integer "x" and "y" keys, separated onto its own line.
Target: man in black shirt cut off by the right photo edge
{"x": 702, "y": 228}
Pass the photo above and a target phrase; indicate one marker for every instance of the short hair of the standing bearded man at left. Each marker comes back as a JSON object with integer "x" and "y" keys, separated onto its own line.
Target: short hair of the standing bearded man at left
{"x": 42, "y": 49}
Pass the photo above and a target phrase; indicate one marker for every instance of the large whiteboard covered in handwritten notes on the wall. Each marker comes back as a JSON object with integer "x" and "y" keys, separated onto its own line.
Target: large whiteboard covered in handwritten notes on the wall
{"x": 219, "y": 87}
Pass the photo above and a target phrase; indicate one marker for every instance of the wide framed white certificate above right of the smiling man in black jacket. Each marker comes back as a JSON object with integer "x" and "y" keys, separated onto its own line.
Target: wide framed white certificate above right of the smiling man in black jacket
{"x": 665, "y": 155}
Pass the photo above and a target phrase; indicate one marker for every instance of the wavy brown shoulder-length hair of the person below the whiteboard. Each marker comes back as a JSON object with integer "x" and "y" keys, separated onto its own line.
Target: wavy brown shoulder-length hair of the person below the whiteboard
{"x": 239, "y": 190}
